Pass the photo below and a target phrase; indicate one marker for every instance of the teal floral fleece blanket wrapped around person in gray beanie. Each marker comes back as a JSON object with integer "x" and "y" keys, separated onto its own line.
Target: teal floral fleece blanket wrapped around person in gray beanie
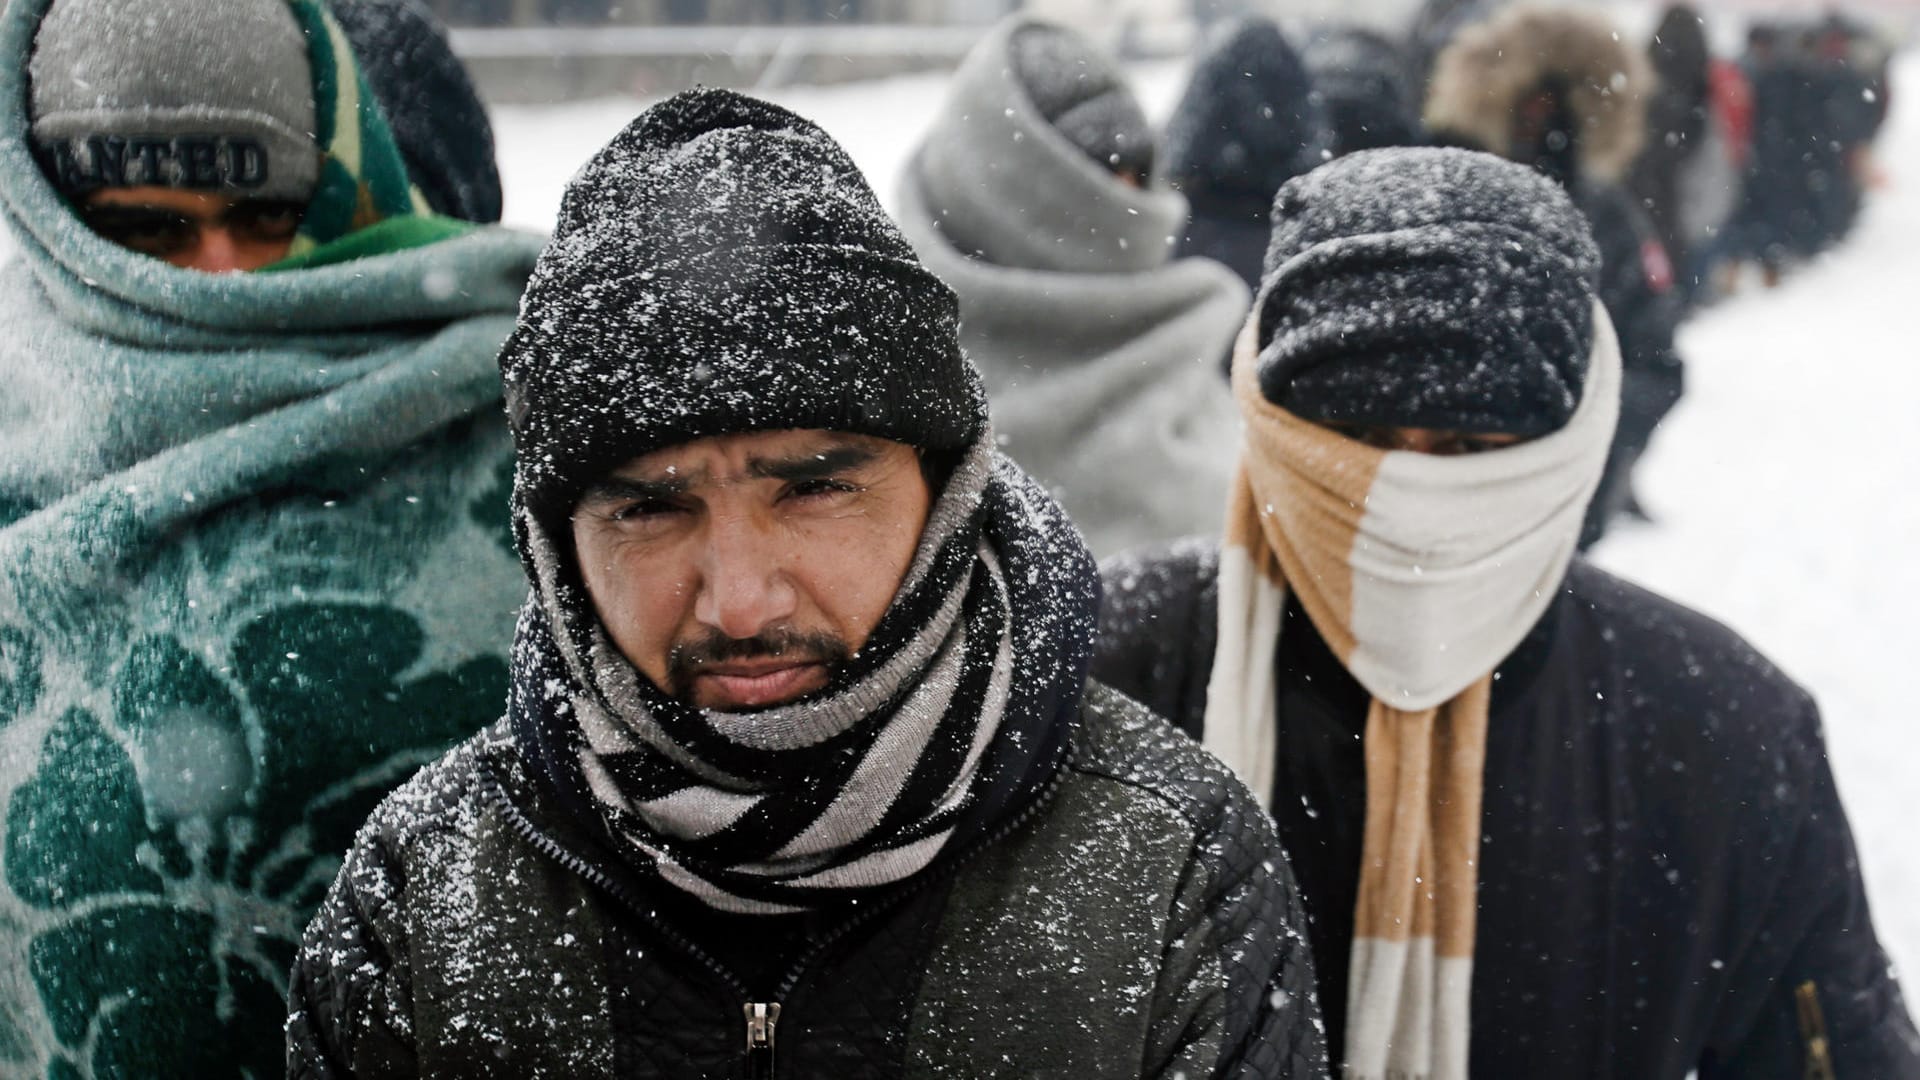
{"x": 254, "y": 570}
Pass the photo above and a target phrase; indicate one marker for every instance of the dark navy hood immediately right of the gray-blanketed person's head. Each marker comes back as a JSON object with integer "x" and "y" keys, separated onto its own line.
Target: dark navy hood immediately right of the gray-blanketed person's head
{"x": 1247, "y": 122}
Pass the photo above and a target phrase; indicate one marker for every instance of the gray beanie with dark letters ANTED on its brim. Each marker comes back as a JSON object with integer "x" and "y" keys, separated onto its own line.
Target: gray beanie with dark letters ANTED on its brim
{"x": 208, "y": 95}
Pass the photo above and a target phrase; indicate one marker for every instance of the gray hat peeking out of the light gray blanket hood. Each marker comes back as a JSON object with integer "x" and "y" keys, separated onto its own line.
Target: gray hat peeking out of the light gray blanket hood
{"x": 1084, "y": 97}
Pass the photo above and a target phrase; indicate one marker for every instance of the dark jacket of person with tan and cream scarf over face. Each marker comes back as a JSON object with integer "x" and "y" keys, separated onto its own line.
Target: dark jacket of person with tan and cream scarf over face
{"x": 1664, "y": 854}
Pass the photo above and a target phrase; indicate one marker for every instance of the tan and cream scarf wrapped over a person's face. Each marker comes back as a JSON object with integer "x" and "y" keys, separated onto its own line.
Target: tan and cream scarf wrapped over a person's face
{"x": 1422, "y": 574}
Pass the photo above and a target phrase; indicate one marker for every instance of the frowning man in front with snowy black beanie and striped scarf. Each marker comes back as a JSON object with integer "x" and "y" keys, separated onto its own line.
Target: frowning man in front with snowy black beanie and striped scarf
{"x": 802, "y": 770}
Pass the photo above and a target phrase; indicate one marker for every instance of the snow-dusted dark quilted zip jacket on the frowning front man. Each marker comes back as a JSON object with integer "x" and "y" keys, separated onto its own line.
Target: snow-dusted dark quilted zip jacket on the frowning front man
{"x": 1130, "y": 923}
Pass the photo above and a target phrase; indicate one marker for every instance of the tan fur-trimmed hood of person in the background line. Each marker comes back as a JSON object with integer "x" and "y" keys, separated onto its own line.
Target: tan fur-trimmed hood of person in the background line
{"x": 1481, "y": 80}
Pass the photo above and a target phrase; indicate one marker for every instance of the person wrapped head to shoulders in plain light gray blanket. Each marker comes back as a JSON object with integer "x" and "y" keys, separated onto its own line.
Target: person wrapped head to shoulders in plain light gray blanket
{"x": 1034, "y": 199}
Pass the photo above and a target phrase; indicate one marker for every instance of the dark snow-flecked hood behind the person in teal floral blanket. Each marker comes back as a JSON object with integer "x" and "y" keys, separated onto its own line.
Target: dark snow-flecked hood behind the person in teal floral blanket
{"x": 431, "y": 105}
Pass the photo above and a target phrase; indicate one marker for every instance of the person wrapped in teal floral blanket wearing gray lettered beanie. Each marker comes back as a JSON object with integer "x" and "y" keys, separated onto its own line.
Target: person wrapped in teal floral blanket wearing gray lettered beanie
{"x": 256, "y": 562}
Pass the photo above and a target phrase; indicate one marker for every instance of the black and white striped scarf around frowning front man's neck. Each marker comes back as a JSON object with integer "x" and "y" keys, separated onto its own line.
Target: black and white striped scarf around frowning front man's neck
{"x": 857, "y": 787}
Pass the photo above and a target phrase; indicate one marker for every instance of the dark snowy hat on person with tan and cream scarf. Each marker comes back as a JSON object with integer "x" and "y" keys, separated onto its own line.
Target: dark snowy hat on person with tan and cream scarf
{"x": 1437, "y": 289}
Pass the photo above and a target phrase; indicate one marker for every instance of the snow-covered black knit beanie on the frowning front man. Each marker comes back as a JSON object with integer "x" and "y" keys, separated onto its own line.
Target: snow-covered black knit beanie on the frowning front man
{"x": 723, "y": 268}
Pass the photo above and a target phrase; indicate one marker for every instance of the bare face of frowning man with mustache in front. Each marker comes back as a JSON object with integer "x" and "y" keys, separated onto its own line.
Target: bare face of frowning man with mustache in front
{"x": 738, "y": 572}
